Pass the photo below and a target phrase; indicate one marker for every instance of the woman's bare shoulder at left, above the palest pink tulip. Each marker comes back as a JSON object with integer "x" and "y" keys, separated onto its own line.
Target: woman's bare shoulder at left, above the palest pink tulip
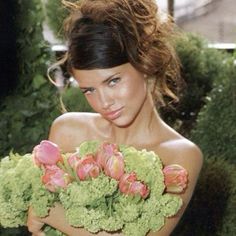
{"x": 70, "y": 129}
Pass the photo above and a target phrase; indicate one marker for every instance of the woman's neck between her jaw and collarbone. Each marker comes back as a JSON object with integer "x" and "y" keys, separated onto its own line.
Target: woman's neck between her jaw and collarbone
{"x": 141, "y": 129}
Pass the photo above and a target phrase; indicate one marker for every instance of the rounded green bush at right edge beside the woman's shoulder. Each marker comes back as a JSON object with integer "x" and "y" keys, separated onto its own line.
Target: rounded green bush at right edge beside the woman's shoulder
{"x": 215, "y": 131}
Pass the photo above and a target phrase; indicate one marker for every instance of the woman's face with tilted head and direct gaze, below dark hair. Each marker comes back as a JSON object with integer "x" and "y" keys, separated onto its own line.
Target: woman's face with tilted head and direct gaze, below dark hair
{"x": 116, "y": 93}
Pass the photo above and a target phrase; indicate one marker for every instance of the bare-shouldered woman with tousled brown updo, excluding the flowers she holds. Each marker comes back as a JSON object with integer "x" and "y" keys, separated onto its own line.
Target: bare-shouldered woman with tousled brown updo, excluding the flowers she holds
{"x": 120, "y": 53}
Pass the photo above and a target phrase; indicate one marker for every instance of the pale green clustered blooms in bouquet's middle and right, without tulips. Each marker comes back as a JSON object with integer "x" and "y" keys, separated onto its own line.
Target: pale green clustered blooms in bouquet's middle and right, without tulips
{"x": 98, "y": 204}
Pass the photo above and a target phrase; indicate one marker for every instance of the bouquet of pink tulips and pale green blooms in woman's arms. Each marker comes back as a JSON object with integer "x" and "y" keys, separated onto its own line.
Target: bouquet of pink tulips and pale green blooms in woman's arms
{"x": 102, "y": 186}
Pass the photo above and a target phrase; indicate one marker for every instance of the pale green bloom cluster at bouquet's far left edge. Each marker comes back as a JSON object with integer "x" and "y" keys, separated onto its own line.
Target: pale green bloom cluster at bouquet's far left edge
{"x": 20, "y": 188}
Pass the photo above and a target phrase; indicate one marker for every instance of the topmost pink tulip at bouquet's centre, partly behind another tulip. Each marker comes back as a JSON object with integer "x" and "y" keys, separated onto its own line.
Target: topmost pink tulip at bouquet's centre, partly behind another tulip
{"x": 105, "y": 151}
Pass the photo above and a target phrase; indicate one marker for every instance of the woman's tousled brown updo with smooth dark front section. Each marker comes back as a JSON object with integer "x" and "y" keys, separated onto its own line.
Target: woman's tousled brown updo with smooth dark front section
{"x": 106, "y": 33}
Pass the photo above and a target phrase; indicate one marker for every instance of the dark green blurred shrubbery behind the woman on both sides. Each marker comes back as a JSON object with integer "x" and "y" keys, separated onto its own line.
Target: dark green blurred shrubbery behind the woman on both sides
{"x": 206, "y": 113}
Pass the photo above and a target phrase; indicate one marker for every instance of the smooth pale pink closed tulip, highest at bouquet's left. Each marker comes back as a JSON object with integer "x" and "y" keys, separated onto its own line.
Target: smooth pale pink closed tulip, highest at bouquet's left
{"x": 46, "y": 153}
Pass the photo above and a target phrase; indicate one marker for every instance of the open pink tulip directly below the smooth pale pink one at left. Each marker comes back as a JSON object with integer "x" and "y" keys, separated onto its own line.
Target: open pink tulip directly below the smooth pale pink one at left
{"x": 54, "y": 178}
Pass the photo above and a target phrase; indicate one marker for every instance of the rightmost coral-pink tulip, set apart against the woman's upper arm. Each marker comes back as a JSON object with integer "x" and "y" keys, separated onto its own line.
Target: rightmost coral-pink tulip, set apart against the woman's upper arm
{"x": 176, "y": 178}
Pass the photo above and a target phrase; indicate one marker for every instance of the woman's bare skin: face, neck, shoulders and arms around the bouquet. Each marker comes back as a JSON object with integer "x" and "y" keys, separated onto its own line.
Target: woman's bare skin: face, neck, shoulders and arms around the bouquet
{"x": 125, "y": 115}
